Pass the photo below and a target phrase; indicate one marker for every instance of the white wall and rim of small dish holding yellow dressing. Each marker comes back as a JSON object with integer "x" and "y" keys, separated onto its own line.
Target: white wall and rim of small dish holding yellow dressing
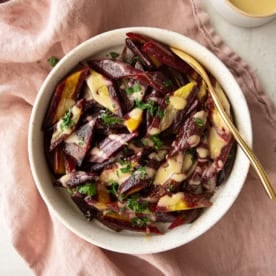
{"x": 240, "y": 18}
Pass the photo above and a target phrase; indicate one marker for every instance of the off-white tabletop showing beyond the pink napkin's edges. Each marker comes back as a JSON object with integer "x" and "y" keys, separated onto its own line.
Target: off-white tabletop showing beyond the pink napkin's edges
{"x": 256, "y": 46}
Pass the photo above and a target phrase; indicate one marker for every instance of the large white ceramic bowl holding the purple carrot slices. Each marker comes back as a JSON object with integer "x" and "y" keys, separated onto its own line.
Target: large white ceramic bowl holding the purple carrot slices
{"x": 125, "y": 241}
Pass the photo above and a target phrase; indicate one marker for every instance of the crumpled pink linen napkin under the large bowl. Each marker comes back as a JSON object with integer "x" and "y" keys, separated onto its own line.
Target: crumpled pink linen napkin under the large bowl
{"x": 242, "y": 243}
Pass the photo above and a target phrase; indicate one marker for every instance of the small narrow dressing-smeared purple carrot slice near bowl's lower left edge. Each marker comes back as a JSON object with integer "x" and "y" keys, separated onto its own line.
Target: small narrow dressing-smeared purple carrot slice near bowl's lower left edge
{"x": 75, "y": 179}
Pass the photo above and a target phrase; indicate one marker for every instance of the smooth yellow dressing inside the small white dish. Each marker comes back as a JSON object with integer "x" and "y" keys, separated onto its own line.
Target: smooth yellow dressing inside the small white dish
{"x": 255, "y": 7}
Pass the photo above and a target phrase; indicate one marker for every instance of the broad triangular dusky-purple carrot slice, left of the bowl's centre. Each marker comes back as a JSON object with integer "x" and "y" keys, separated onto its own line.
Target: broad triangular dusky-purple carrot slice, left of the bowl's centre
{"x": 78, "y": 143}
